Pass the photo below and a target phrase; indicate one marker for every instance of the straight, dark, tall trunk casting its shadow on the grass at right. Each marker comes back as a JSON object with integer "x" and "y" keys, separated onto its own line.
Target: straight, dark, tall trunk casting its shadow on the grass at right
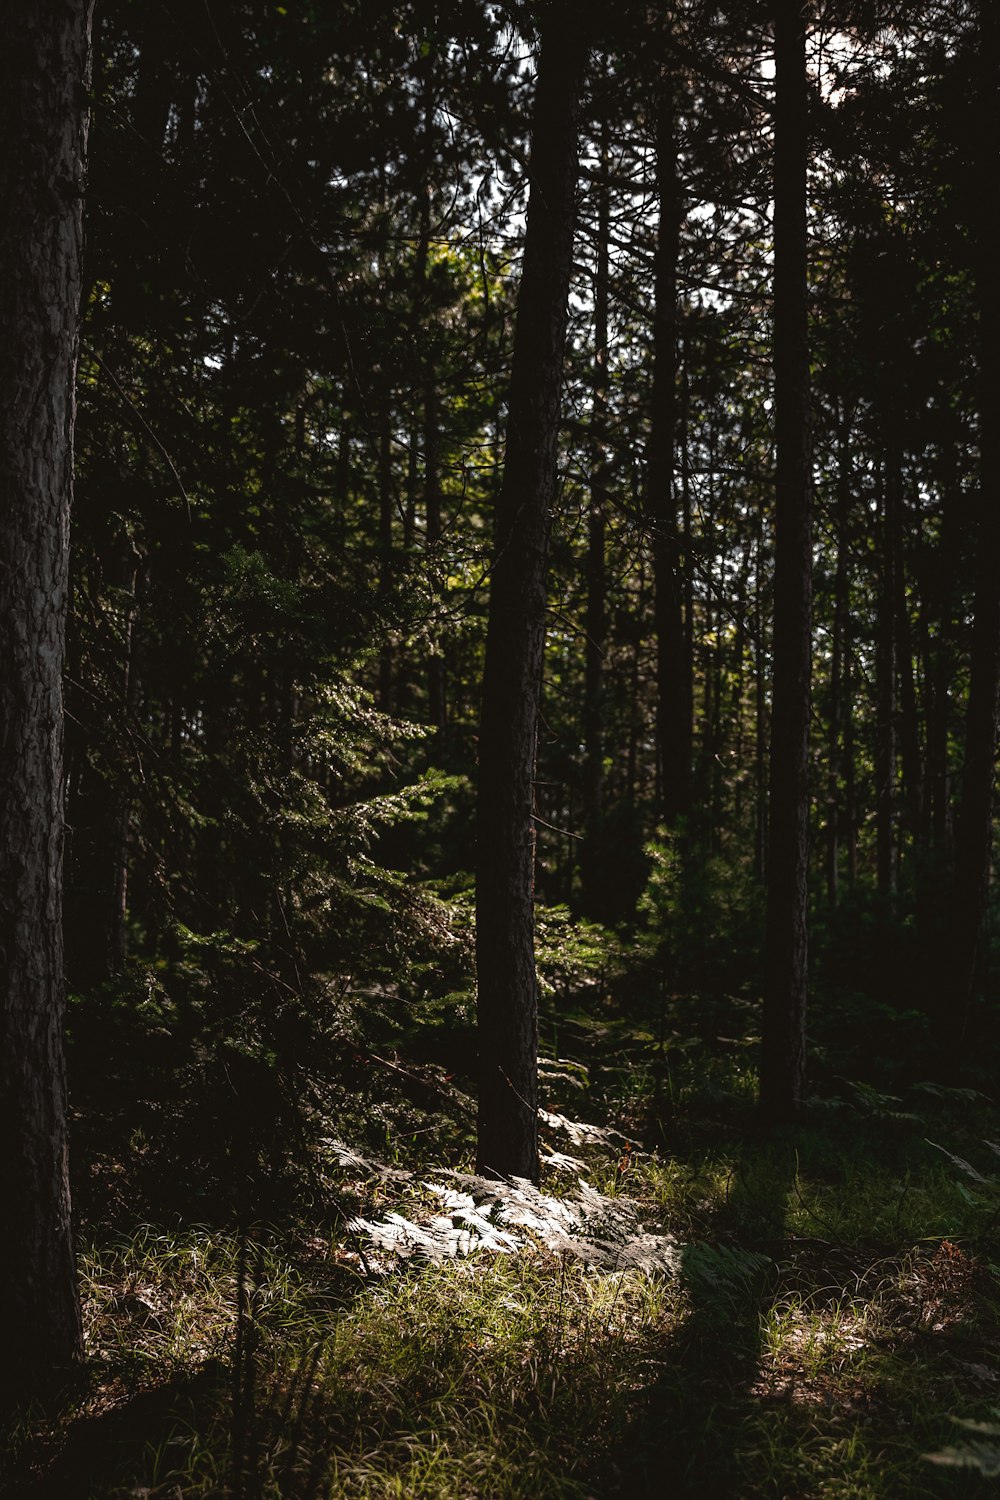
{"x": 783, "y": 1051}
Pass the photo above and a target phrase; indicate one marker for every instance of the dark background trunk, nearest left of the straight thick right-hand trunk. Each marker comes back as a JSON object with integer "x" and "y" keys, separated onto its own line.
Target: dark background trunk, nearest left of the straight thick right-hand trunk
{"x": 674, "y": 667}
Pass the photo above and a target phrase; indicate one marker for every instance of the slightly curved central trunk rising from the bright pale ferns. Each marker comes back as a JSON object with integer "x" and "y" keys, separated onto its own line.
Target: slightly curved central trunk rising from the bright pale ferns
{"x": 512, "y": 682}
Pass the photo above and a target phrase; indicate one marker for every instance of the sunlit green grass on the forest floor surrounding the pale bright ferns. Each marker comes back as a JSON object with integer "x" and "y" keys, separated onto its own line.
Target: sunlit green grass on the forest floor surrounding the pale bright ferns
{"x": 809, "y": 1367}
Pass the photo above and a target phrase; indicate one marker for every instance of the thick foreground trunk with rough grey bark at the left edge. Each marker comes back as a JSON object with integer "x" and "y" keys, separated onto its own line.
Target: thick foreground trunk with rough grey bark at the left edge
{"x": 44, "y": 71}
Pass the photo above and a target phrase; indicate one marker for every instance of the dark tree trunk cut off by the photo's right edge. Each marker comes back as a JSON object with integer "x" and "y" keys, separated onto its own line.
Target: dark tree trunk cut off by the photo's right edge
{"x": 975, "y": 827}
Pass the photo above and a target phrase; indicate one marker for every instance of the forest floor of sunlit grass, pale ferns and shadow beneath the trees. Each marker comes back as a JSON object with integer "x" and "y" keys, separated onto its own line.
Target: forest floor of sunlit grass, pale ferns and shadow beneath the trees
{"x": 824, "y": 1322}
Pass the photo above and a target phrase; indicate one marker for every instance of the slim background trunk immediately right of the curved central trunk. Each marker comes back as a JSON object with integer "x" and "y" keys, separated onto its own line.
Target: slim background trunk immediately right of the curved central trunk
{"x": 596, "y": 565}
